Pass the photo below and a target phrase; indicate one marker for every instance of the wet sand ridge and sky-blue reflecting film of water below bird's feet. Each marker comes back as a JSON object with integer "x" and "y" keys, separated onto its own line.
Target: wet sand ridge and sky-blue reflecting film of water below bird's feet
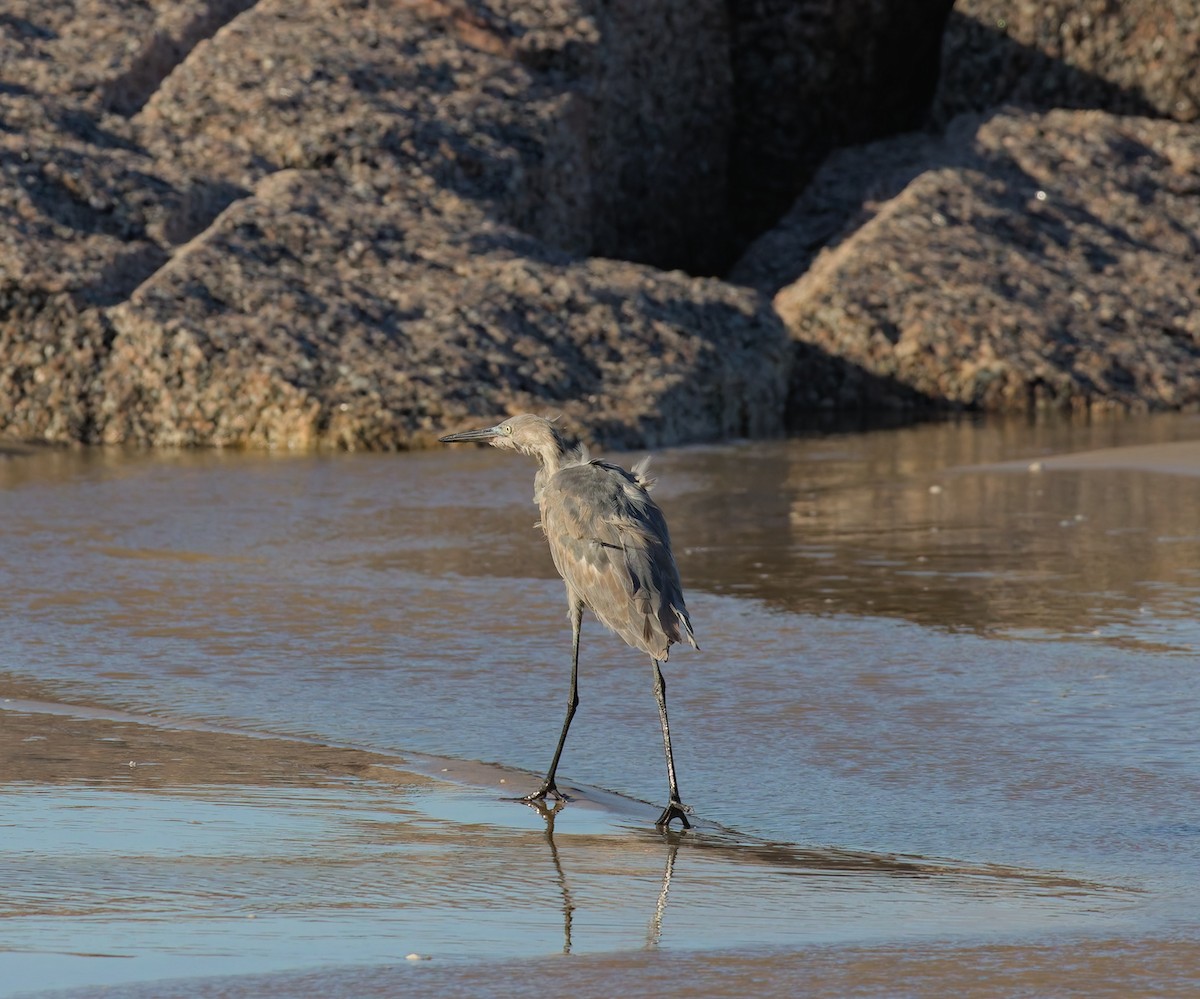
{"x": 263, "y": 845}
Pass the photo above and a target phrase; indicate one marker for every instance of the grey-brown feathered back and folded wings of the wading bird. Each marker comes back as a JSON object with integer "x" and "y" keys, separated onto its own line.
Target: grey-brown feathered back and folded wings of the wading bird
{"x": 611, "y": 546}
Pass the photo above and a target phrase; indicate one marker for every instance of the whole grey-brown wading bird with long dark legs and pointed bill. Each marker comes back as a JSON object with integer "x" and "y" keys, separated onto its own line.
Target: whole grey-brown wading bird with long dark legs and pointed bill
{"x": 611, "y": 547}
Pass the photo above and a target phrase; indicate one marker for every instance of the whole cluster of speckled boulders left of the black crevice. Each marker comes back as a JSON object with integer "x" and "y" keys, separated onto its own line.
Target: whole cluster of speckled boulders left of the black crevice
{"x": 302, "y": 223}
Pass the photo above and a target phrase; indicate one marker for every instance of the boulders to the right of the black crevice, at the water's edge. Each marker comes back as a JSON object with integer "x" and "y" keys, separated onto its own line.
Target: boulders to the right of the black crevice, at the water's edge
{"x": 1011, "y": 261}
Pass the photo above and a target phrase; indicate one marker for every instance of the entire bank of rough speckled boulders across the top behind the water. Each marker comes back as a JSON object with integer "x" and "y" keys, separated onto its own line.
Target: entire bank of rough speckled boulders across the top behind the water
{"x": 356, "y": 223}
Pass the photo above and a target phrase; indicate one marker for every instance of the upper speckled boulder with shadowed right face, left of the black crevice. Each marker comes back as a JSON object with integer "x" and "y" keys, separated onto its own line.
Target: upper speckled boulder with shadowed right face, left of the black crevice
{"x": 579, "y": 123}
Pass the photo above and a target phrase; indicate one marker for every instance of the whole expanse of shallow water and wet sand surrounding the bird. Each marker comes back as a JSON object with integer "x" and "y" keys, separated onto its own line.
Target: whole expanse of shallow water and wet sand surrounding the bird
{"x": 261, "y": 715}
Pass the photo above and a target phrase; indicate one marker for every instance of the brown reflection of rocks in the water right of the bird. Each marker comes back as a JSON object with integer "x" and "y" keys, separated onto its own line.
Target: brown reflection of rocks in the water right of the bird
{"x": 911, "y": 524}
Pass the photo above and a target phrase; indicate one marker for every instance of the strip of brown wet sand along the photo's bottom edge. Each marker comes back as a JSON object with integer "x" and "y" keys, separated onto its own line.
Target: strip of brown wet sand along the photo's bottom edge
{"x": 1093, "y": 968}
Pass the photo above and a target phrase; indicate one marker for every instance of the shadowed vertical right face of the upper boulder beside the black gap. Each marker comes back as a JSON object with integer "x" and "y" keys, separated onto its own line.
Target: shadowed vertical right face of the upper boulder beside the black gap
{"x": 659, "y": 139}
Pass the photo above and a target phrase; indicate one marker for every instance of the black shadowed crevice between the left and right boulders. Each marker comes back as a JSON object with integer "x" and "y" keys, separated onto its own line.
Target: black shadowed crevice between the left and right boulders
{"x": 811, "y": 79}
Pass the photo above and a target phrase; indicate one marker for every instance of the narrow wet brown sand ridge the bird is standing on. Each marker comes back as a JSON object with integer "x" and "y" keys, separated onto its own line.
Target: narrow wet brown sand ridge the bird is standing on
{"x": 56, "y": 744}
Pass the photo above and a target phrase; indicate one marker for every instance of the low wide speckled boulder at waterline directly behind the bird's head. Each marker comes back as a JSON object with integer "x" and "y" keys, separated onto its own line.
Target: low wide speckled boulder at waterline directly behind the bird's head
{"x": 428, "y": 309}
